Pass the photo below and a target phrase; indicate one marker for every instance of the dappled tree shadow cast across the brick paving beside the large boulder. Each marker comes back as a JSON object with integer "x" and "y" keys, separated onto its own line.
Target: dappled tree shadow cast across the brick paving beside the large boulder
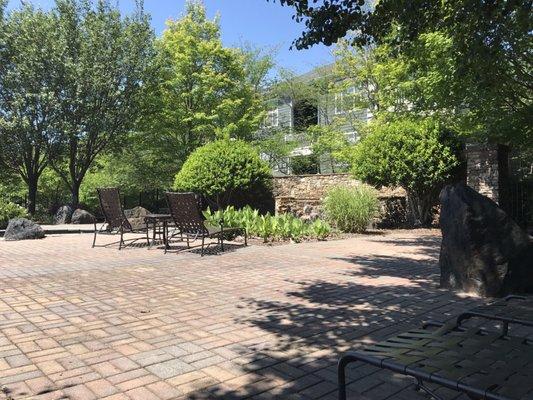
{"x": 376, "y": 297}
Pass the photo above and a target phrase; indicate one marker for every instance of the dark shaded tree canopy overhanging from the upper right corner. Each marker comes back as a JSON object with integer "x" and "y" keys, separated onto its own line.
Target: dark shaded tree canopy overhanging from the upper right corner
{"x": 481, "y": 34}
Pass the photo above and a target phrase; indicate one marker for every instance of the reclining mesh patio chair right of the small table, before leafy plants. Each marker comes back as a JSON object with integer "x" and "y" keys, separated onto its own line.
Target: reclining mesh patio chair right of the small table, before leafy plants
{"x": 189, "y": 222}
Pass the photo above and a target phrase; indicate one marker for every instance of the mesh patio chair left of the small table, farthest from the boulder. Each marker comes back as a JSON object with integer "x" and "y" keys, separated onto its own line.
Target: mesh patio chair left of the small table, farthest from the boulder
{"x": 115, "y": 221}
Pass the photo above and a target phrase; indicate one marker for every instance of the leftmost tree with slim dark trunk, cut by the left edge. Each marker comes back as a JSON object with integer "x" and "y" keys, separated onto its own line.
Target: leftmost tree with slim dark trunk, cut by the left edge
{"x": 27, "y": 104}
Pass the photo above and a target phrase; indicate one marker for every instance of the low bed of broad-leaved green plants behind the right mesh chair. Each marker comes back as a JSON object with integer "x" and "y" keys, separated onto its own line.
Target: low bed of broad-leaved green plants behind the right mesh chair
{"x": 269, "y": 227}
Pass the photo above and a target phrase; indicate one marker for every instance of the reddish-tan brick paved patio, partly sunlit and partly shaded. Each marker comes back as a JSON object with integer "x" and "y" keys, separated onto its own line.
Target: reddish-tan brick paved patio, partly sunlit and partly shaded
{"x": 256, "y": 322}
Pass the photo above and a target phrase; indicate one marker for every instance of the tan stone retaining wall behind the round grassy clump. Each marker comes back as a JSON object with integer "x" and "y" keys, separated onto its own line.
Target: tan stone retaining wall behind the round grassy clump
{"x": 302, "y": 195}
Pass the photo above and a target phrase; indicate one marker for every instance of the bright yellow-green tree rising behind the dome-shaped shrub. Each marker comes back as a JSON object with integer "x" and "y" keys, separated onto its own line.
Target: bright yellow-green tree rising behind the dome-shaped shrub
{"x": 202, "y": 90}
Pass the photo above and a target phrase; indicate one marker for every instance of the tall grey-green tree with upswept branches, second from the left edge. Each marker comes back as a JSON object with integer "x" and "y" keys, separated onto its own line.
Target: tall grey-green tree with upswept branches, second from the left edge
{"x": 102, "y": 63}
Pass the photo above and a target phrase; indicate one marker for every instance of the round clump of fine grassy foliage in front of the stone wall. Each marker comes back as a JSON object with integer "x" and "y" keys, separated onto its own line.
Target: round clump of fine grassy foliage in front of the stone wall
{"x": 351, "y": 209}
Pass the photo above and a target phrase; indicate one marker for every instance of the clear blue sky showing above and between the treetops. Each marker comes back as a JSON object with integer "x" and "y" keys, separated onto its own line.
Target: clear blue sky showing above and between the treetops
{"x": 259, "y": 22}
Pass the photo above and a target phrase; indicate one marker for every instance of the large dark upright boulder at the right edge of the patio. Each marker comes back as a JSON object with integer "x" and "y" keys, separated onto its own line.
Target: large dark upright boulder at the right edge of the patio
{"x": 483, "y": 250}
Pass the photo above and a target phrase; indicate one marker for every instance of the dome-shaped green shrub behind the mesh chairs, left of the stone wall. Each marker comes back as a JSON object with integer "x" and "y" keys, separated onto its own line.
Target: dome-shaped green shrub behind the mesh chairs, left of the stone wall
{"x": 221, "y": 169}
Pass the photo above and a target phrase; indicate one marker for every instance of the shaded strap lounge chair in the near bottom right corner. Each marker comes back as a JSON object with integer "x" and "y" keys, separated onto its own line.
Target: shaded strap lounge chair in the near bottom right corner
{"x": 481, "y": 364}
